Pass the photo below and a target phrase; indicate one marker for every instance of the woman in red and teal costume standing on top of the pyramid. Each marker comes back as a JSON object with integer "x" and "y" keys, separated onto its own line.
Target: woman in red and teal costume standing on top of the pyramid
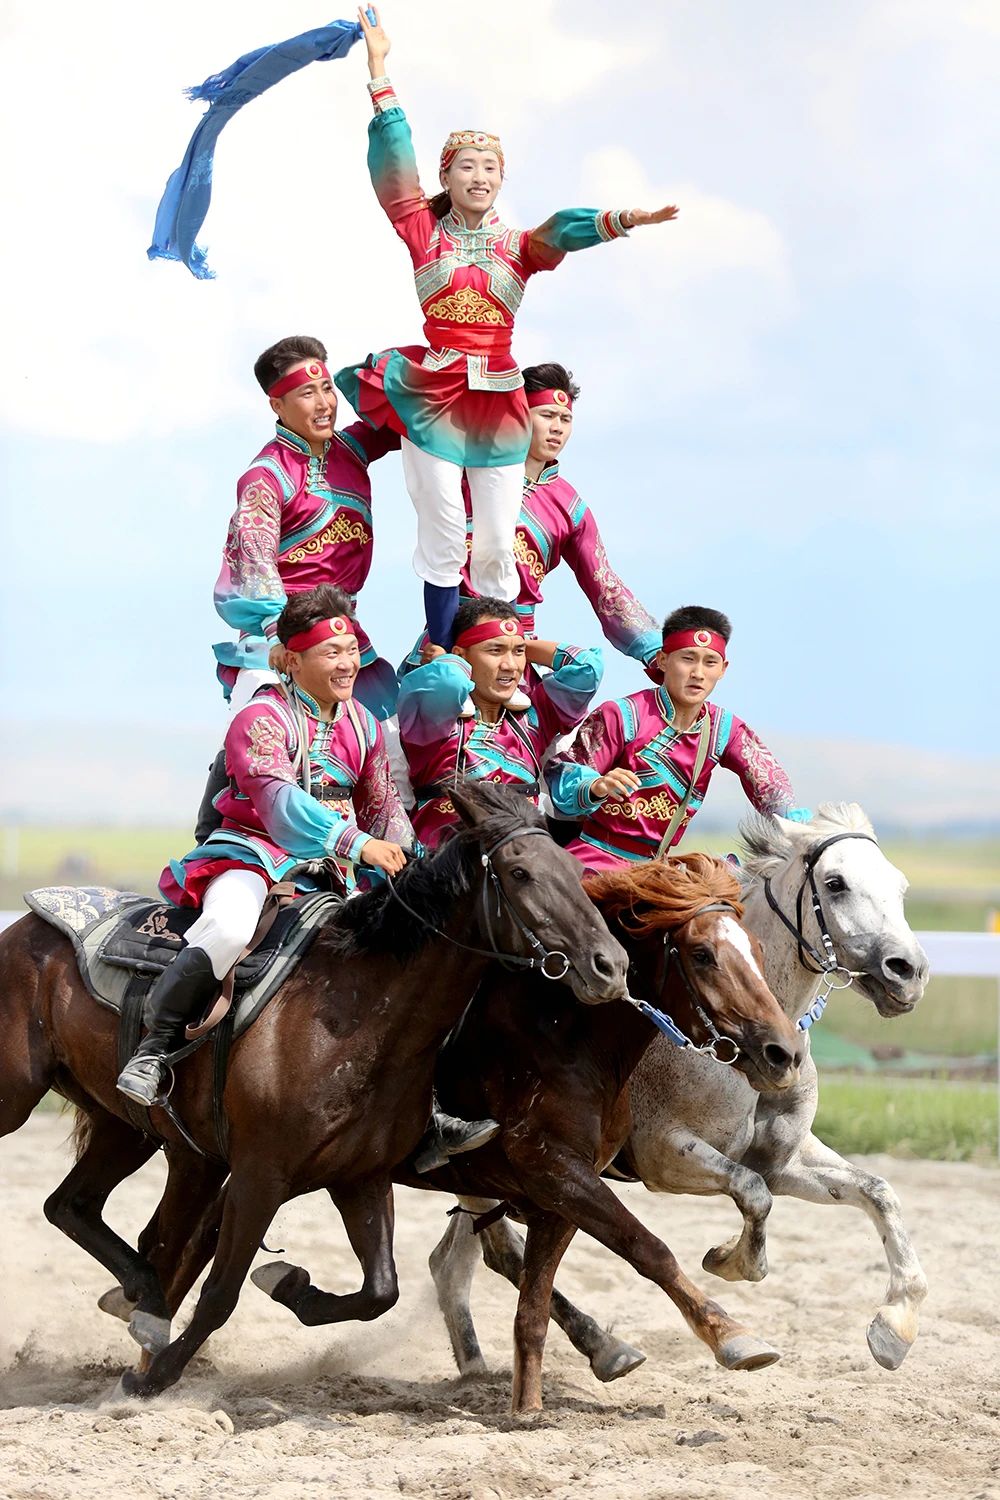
{"x": 460, "y": 404}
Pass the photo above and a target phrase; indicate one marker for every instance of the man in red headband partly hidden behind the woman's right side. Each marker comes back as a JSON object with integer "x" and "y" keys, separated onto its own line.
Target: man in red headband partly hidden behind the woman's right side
{"x": 557, "y": 526}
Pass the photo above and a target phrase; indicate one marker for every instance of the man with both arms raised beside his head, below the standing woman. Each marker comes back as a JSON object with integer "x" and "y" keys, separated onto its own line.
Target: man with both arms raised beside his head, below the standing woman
{"x": 448, "y": 734}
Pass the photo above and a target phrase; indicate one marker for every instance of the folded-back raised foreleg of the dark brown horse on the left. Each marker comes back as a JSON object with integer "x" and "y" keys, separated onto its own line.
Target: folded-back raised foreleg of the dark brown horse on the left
{"x": 368, "y": 1219}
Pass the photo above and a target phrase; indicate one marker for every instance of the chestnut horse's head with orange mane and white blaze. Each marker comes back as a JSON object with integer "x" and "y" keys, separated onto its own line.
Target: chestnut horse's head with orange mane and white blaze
{"x": 690, "y": 955}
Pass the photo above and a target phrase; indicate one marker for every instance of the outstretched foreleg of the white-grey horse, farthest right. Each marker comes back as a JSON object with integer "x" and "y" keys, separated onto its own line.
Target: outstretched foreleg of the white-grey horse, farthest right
{"x": 819, "y": 1175}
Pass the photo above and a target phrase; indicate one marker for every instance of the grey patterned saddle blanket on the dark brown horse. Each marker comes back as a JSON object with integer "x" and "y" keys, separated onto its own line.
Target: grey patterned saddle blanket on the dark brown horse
{"x": 118, "y": 935}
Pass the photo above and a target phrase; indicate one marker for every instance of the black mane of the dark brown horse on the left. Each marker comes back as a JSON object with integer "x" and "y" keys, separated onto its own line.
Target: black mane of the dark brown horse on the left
{"x": 377, "y": 923}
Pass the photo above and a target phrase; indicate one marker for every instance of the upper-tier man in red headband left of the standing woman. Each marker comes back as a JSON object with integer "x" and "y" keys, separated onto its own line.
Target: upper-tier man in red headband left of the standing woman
{"x": 304, "y": 518}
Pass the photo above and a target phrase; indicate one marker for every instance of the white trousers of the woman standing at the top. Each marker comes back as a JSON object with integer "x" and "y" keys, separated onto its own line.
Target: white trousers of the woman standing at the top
{"x": 436, "y": 490}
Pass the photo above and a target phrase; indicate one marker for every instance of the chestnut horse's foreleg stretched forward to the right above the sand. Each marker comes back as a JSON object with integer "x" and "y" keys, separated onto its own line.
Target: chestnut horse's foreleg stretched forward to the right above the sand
{"x": 572, "y": 1189}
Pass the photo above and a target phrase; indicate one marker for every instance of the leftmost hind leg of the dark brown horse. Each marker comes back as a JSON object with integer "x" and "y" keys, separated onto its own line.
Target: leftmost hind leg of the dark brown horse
{"x": 113, "y": 1153}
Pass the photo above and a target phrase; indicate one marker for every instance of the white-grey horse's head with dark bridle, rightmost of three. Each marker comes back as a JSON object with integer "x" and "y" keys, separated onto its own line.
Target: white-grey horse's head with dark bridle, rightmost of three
{"x": 840, "y": 901}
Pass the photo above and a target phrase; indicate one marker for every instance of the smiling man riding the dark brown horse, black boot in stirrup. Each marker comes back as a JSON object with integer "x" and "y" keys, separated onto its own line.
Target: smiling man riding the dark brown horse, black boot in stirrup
{"x": 308, "y": 782}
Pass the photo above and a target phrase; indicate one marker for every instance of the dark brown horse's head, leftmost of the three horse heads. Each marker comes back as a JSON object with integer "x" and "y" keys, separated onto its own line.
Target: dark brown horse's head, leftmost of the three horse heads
{"x": 534, "y": 905}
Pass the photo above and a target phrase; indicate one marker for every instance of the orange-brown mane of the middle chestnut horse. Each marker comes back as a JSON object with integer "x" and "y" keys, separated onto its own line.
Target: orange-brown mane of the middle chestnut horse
{"x": 665, "y": 893}
